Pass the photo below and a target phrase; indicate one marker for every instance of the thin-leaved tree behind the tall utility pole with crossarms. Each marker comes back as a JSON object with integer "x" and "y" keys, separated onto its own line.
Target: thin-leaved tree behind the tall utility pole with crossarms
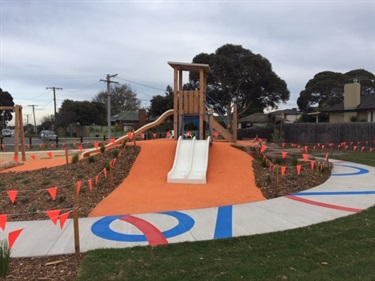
{"x": 123, "y": 98}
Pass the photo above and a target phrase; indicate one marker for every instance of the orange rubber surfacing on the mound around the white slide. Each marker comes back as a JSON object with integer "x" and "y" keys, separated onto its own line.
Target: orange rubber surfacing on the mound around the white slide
{"x": 230, "y": 180}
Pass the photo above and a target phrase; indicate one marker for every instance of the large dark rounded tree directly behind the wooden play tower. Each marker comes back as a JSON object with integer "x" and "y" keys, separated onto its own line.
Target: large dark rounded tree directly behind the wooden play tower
{"x": 242, "y": 77}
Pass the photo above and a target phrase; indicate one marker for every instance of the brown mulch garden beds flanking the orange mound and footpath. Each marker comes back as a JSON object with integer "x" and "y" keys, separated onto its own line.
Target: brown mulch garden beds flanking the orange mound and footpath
{"x": 33, "y": 200}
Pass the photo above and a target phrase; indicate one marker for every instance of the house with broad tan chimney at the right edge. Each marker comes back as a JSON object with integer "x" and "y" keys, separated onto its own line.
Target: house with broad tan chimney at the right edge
{"x": 355, "y": 107}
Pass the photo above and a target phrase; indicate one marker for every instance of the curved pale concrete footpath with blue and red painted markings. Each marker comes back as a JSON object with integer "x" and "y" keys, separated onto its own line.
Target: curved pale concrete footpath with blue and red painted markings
{"x": 349, "y": 190}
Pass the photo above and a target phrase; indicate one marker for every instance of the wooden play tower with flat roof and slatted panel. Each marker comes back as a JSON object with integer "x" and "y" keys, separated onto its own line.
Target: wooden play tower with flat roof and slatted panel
{"x": 191, "y": 104}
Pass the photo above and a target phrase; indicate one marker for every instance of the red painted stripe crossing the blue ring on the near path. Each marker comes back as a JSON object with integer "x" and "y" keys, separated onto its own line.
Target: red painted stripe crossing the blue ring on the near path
{"x": 153, "y": 235}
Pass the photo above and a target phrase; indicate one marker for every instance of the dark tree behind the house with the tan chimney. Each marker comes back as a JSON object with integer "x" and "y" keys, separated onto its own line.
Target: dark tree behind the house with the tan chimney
{"x": 327, "y": 88}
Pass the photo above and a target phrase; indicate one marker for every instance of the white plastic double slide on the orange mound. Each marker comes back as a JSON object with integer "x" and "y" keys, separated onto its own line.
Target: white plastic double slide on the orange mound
{"x": 190, "y": 162}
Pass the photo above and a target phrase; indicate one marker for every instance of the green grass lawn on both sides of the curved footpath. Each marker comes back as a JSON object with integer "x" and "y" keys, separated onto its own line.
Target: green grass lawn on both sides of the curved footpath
{"x": 343, "y": 249}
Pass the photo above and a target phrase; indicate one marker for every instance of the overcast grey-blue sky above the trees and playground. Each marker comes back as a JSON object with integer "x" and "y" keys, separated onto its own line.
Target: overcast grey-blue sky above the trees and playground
{"x": 73, "y": 44}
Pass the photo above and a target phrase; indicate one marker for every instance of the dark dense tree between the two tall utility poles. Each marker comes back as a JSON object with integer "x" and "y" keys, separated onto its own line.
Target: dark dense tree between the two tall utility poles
{"x": 83, "y": 112}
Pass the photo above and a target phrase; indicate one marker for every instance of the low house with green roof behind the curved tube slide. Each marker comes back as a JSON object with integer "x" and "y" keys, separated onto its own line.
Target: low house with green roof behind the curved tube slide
{"x": 129, "y": 120}
